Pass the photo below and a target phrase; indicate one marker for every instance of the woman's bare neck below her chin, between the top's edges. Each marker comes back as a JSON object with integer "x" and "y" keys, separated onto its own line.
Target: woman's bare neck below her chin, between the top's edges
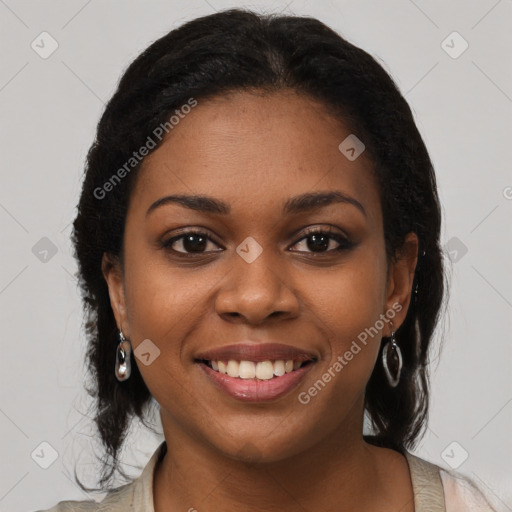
{"x": 336, "y": 473}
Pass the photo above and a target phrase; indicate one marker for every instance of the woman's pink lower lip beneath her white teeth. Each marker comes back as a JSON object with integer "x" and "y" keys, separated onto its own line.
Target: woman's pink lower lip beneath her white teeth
{"x": 254, "y": 390}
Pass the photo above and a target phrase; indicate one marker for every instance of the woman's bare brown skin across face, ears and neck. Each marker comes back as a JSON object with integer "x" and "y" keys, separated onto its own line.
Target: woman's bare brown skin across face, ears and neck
{"x": 254, "y": 152}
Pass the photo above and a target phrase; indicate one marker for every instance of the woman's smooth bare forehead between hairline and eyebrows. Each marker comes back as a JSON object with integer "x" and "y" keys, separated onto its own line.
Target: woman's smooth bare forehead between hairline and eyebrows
{"x": 255, "y": 148}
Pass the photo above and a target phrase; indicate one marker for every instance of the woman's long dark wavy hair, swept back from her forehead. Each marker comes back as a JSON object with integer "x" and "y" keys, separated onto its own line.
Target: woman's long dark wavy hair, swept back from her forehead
{"x": 236, "y": 50}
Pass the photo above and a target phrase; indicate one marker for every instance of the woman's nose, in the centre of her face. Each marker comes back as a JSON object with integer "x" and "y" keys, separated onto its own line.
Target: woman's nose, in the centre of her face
{"x": 254, "y": 292}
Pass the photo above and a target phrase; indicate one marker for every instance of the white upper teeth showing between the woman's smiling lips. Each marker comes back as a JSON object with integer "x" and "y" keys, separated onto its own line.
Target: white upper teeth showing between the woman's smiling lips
{"x": 256, "y": 370}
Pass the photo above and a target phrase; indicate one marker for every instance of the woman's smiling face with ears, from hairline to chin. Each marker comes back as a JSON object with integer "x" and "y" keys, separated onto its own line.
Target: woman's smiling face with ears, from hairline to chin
{"x": 255, "y": 275}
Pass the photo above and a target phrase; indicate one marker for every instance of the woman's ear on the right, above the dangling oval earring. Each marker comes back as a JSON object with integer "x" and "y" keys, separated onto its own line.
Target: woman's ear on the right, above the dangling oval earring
{"x": 400, "y": 280}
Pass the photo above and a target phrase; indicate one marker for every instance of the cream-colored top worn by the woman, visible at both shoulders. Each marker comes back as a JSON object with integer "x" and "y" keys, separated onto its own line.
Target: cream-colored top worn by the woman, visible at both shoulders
{"x": 435, "y": 490}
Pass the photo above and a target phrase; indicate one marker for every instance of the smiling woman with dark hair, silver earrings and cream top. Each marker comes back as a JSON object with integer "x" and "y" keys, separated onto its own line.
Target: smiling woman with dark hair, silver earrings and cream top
{"x": 258, "y": 247}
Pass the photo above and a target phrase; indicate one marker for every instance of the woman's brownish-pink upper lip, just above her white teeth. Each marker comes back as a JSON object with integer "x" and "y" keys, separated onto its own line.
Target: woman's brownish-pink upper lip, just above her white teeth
{"x": 256, "y": 352}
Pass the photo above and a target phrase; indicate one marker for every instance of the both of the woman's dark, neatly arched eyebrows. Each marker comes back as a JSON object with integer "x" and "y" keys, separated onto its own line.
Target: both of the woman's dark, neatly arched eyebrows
{"x": 298, "y": 204}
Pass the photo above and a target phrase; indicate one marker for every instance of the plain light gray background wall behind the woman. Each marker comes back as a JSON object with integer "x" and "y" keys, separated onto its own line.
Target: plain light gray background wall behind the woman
{"x": 49, "y": 109}
